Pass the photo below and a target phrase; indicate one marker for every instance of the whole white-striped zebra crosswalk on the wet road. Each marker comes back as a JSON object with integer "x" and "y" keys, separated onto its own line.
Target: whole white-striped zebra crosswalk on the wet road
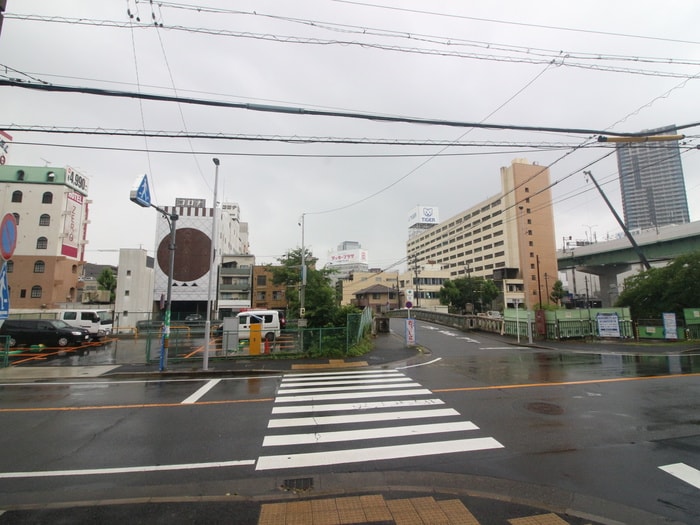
{"x": 358, "y": 416}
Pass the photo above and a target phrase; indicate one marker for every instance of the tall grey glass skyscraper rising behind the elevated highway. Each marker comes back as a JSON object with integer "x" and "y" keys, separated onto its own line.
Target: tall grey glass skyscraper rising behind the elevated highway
{"x": 652, "y": 183}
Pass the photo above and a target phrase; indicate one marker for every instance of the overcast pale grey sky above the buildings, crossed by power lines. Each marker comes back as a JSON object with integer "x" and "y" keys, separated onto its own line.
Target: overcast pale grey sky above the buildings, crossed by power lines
{"x": 622, "y": 66}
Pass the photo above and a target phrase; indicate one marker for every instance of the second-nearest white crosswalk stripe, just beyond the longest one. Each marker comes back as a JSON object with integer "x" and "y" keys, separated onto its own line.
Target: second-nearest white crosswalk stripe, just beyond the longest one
{"x": 313, "y": 438}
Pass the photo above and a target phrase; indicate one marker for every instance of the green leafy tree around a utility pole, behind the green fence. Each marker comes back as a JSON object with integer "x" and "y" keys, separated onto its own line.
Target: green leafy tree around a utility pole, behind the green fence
{"x": 319, "y": 295}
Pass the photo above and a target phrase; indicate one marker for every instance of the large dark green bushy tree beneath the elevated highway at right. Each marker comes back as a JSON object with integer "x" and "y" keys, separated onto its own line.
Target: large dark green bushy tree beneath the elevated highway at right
{"x": 672, "y": 288}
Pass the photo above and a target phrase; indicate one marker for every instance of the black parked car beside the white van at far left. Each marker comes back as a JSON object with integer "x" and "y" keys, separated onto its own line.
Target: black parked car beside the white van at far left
{"x": 47, "y": 332}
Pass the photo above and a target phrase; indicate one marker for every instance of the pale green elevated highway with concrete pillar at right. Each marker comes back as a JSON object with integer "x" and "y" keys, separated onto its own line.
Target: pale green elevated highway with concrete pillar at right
{"x": 610, "y": 259}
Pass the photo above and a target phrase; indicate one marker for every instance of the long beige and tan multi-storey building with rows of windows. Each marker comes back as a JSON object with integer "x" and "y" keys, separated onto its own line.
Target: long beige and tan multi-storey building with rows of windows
{"x": 509, "y": 238}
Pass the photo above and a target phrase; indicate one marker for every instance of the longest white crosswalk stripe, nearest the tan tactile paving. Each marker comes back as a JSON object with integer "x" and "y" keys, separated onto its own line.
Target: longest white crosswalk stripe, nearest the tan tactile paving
{"x": 362, "y": 455}
